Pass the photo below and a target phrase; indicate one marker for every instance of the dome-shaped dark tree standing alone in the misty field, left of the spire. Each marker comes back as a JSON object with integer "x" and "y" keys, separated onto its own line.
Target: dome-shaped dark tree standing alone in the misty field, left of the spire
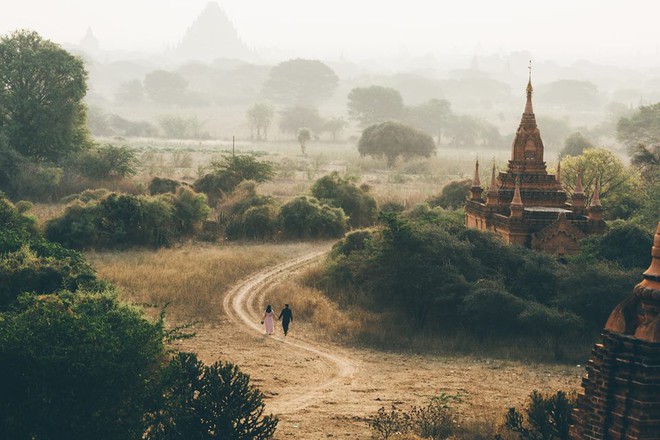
{"x": 393, "y": 139}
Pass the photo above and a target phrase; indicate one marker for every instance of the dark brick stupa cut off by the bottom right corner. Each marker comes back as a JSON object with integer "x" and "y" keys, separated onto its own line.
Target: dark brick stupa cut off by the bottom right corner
{"x": 621, "y": 398}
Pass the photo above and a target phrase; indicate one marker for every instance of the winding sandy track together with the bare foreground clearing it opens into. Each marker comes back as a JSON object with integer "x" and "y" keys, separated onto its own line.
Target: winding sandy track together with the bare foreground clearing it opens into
{"x": 320, "y": 390}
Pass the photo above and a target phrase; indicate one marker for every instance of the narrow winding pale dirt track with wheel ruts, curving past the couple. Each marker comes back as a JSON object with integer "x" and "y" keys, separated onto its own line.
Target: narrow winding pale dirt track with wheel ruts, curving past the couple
{"x": 240, "y": 306}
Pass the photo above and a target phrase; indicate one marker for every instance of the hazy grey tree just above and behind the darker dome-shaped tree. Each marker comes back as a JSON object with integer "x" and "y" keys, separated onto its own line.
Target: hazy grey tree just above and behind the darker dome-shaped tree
{"x": 375, "y": 104}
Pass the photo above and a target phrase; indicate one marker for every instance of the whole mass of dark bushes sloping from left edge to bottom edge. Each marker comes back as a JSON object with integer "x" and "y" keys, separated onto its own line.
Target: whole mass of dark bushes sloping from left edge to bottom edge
{"x": 77, "y": 363}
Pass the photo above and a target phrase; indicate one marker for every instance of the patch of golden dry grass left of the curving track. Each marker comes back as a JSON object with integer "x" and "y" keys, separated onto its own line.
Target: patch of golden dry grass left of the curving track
{"x": 191, "y": 279}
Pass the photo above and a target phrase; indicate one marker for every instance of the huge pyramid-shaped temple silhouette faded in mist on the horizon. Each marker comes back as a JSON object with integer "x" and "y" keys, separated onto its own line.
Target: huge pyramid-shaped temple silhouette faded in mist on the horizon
{"x": 210, "y": 37}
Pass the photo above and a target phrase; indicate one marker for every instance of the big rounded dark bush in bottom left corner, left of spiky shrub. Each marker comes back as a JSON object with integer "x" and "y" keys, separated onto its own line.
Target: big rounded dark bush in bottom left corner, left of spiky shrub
{"x": 76, "y": 365}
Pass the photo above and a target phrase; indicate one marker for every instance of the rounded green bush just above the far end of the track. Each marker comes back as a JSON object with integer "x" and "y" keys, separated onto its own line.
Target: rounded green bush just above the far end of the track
{"x": 306, "y": 217}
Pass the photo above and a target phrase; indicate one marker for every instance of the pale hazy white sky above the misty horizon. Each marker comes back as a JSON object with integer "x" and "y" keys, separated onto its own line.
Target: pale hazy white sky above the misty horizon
{"x": 613, "y": 31}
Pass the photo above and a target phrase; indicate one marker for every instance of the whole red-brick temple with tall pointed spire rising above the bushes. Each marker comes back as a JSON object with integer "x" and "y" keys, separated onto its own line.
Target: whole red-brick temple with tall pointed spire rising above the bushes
{"x": 529, "y": 207}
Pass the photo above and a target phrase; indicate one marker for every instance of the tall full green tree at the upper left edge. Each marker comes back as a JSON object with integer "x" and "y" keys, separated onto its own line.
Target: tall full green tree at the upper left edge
{"x": 42, "y": 86}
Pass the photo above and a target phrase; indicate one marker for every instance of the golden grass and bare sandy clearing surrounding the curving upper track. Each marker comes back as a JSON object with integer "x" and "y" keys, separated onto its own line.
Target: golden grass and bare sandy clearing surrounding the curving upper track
{"x": 195, "y": 280}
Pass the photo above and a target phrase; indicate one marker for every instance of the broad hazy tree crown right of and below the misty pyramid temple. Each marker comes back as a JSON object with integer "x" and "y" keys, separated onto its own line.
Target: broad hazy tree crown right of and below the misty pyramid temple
{"x": 300, "y": 82}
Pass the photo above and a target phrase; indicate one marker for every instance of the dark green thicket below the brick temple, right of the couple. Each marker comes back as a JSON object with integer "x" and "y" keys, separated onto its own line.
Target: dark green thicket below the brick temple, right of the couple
{"x": 438, "y": 277}
